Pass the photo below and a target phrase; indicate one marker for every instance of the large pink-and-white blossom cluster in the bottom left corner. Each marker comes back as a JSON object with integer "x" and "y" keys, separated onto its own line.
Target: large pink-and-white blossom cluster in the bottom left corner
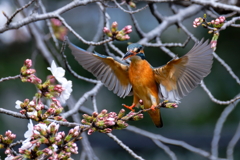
{"x": 57, "y": 145}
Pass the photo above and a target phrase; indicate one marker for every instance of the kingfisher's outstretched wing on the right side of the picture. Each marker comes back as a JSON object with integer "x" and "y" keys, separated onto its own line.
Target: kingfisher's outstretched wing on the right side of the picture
{"x": 180, "y": 76}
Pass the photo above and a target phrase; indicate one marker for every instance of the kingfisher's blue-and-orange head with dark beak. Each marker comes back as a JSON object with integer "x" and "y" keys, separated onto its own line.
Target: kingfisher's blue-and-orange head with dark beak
{"x": 135, "y": 51}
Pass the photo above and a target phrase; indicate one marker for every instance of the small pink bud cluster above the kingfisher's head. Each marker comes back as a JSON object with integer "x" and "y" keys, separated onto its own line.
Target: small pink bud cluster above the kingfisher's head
{"x": 115, "y": 34}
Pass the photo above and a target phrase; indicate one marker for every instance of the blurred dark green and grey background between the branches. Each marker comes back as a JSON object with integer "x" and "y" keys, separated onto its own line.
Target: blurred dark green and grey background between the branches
{"x": 192, "y": 122}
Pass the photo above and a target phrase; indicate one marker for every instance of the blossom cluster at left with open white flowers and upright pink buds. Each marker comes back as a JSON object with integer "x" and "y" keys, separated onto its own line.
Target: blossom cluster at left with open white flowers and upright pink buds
{"x": 56, "y": 93}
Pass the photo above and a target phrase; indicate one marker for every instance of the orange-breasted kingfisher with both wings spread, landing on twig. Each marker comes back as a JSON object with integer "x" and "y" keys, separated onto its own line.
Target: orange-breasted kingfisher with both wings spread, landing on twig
{"x": 150, "y": 85}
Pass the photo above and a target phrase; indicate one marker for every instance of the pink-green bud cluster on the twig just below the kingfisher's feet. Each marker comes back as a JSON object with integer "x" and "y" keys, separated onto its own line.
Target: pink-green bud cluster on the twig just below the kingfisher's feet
{"x": 105, "y": 122}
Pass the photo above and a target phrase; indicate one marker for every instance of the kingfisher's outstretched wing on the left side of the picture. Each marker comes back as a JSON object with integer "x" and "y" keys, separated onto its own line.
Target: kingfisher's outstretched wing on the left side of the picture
{"x": 113, "y": 74}
